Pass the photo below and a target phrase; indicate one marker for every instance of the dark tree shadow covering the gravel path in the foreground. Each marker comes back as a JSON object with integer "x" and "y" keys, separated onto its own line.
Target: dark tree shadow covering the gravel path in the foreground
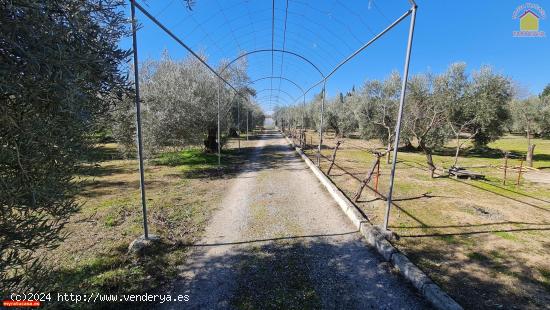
{"x": 298, "y": 272}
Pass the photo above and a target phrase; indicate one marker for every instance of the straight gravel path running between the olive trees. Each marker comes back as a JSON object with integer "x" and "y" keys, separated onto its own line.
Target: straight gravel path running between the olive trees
{"x": 280, "y": 241}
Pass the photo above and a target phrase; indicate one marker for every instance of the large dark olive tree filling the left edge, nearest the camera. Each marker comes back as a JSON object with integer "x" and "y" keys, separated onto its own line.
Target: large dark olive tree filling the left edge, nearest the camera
{"x": 60, "y": 74}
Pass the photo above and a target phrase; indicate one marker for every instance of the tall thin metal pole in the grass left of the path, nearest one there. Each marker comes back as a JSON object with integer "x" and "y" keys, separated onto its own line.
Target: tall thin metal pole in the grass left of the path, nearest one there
{"x": 138, "y": 123}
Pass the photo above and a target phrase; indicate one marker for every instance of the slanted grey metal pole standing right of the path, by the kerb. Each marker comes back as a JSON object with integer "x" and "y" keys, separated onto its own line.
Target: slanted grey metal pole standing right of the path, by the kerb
{"x": 400, "y": 115}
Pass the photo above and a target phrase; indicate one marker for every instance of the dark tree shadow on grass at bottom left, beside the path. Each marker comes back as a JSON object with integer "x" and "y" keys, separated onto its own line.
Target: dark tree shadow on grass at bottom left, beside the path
{"x": 113, "y": 273}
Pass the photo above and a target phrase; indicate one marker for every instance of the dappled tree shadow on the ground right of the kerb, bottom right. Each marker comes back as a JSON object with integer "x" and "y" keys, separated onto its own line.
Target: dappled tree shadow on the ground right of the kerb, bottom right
{"x": 471, "y": 282}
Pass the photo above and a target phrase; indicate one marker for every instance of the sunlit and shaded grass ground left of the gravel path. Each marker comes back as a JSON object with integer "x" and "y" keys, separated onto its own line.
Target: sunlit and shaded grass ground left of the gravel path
{"x": 94, "y": 257}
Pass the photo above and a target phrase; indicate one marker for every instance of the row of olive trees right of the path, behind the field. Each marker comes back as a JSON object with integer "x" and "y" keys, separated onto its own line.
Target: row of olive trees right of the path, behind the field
{"x": 452, "y": 106}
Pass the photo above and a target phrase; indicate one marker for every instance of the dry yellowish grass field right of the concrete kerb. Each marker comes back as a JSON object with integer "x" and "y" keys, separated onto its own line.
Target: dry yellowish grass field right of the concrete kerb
{"x": 486, "y": 243}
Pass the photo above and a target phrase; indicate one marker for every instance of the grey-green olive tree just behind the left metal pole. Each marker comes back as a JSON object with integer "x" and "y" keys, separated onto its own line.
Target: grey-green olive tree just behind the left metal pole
{"x": 180, "y": 104}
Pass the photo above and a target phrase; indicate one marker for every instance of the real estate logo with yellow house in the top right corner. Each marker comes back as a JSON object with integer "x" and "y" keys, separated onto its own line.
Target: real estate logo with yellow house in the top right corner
{"x": 529, "y": 16}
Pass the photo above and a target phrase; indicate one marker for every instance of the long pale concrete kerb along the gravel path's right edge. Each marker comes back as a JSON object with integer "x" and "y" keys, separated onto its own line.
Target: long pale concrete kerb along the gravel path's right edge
{"x": 376, "y": 238}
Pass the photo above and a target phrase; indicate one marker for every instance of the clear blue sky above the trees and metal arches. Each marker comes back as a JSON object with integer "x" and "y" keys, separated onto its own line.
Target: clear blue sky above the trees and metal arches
{"x": 325, "y": 32}
